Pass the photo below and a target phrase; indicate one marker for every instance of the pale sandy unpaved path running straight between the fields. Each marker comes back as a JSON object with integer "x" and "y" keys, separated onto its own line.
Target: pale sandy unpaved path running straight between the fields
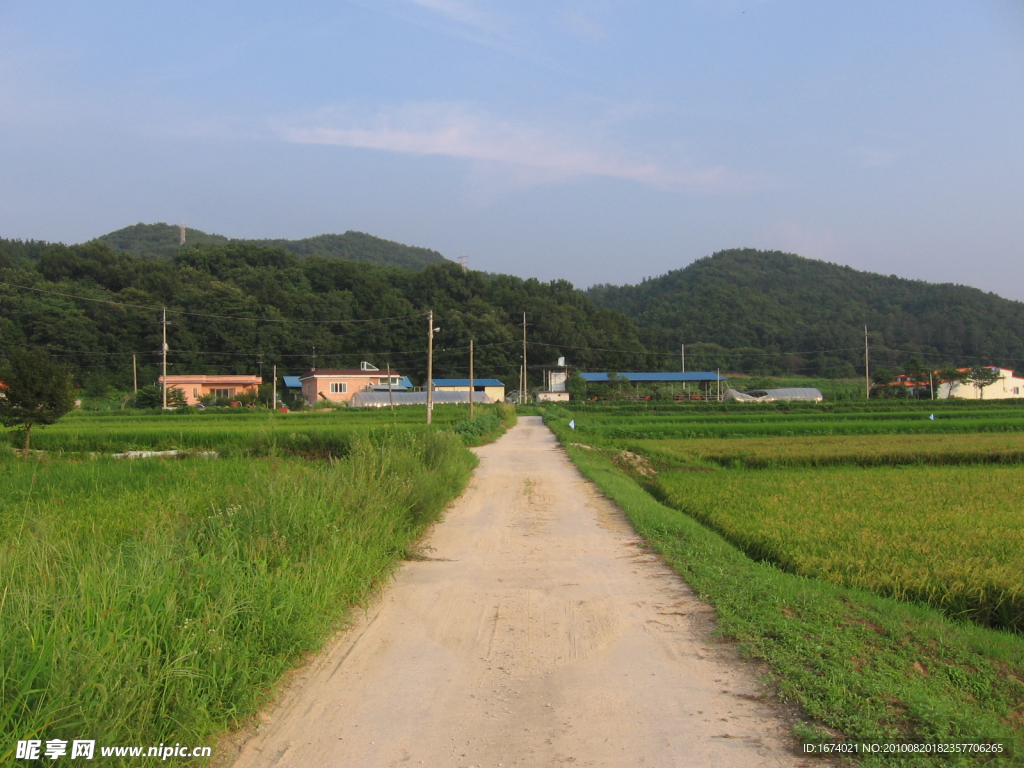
{"x": 541, "y": 634}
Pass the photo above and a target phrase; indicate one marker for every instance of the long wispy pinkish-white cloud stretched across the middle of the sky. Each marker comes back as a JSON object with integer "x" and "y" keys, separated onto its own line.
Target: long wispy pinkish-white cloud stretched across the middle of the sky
{"x": 456, "y": 132}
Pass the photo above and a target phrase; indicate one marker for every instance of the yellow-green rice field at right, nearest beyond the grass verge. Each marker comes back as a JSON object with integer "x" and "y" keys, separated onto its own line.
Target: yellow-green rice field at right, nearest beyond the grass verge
{"x": 950, "y": 537}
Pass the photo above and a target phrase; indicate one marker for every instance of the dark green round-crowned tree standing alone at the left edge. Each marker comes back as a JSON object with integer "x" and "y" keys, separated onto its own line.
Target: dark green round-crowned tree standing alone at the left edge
{"x": 36, "y": 392}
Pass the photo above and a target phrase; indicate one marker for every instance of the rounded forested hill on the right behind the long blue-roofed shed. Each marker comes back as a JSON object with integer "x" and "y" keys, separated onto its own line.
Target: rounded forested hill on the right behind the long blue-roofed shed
{"x": 766, "y": 311}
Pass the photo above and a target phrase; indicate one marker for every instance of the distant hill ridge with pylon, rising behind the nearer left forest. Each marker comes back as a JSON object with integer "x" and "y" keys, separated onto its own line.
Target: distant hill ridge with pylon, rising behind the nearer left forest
{"x": 162, "y": 241}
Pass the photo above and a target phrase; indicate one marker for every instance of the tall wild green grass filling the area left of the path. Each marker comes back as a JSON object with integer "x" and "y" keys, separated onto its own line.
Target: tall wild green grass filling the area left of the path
{"x": 158, "y": 602}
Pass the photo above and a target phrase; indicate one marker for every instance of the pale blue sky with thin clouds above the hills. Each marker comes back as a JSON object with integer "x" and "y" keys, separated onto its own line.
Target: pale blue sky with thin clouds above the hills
{"x": 600, "y": 142}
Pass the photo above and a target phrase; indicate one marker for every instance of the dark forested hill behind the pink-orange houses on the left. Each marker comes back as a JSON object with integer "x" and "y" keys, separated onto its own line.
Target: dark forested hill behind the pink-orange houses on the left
{"x": 233, "y": 306}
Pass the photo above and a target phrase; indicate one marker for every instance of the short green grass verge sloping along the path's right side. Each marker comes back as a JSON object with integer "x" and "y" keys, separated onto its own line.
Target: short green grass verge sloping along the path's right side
{"x": 863, "y": 667}
